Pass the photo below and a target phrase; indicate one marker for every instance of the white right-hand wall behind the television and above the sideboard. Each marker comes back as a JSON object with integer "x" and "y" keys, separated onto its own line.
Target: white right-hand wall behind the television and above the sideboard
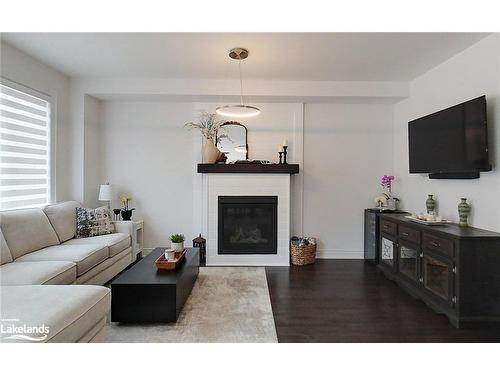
{"x": 472, "y": 73}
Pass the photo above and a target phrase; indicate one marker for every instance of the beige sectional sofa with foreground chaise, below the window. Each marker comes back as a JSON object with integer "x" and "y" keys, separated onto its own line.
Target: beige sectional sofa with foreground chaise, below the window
{"x": 40, "y": 263}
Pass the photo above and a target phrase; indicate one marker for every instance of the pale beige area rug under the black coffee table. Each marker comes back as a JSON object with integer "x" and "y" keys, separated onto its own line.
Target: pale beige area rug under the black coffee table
{"x": 227, "y": 304}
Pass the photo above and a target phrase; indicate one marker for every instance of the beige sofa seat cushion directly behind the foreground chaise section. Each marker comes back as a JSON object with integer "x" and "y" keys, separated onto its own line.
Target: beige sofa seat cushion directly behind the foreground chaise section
{"x": 37, "y": 273}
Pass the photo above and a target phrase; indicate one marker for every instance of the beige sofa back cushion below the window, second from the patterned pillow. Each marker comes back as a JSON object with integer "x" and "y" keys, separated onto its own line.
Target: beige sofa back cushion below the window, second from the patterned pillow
{"x": 27, "y": 230}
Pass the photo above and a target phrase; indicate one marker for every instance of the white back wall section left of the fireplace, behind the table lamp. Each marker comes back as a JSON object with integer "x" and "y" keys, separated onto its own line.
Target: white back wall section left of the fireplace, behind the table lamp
{"x": 148, "y": 154}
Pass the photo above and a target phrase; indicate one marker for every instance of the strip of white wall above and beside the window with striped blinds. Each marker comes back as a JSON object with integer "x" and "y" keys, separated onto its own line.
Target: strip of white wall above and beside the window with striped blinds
{"x": 21, "y": 68}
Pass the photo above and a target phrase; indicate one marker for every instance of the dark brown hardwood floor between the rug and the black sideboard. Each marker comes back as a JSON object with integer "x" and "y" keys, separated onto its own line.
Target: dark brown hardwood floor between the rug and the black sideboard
{"x": 349, "y": 301}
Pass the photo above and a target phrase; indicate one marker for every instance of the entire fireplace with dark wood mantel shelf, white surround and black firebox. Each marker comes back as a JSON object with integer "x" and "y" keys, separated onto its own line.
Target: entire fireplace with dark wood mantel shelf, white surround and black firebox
{"x": 246, "y": 213}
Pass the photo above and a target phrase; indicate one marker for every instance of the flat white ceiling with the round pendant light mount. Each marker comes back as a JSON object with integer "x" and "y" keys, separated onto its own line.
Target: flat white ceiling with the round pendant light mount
{"x": 280, "y": 56}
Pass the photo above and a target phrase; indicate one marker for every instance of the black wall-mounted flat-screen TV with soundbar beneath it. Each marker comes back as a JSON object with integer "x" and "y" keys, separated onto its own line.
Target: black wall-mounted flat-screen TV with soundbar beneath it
{"x": 452, "y": 143}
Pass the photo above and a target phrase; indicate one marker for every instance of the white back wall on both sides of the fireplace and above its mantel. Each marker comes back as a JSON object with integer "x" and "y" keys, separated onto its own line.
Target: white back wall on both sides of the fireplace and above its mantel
{"x": 342, "y": 150}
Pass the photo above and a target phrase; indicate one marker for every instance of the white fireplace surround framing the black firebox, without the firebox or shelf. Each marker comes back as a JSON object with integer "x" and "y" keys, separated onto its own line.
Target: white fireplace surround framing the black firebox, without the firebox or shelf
{"x": 247, "y": 184}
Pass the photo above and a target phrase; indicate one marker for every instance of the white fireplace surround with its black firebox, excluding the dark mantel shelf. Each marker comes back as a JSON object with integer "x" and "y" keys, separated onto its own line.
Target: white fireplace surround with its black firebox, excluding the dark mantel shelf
{"x": 220, "y": 191}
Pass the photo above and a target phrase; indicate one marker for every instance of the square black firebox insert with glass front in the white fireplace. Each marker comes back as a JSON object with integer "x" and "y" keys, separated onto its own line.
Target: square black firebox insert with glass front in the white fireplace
{"x": 247, "y": 225}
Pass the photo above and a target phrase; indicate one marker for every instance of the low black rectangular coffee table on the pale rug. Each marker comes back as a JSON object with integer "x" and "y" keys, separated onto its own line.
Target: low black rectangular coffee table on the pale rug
{"x": 144, "y": 294}
